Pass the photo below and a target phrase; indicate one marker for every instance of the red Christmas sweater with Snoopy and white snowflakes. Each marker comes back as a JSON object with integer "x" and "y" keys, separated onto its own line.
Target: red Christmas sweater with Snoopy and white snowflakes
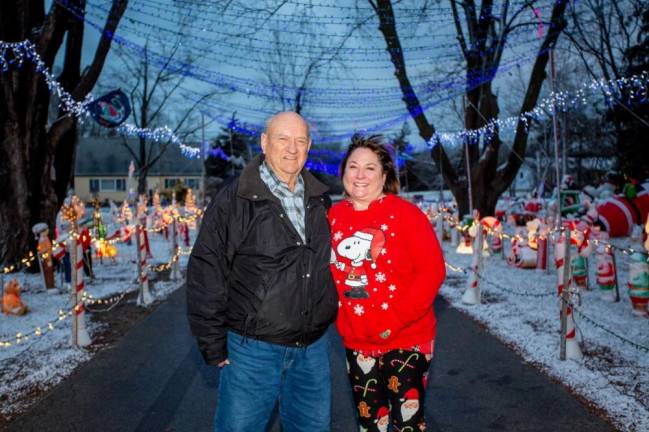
{"x": 388, "y": 267}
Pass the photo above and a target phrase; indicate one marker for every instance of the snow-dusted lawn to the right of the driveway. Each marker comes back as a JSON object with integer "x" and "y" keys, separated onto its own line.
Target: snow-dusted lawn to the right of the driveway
{"x": 614, "y": 375}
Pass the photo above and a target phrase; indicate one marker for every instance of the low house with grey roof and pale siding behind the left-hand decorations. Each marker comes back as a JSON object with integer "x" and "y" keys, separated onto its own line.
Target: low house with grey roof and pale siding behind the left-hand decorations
{"x": 101, "y": 169}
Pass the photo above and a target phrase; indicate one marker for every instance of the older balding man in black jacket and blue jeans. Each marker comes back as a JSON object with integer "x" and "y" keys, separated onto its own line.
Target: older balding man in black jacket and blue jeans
{"x": 259, "y": 292}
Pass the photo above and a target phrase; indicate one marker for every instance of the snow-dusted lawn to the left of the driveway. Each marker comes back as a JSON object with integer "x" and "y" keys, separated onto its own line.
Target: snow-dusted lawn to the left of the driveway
{"x": 41, "y": 362}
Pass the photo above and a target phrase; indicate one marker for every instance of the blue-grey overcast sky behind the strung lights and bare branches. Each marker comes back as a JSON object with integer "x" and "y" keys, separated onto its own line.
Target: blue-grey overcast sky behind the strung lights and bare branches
{"x": 235, "y": 51}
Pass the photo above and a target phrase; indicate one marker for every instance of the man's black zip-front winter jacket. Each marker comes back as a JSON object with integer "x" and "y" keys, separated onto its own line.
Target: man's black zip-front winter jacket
{"x": 250, "y": 272}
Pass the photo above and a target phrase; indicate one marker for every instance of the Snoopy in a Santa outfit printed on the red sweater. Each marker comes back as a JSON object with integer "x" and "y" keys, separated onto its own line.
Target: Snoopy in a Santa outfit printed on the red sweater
{"x": 361, "y": 247}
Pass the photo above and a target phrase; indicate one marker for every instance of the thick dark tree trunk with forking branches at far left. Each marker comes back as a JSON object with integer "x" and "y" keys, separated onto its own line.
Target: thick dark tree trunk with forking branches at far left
{"x": 36, "y": 155}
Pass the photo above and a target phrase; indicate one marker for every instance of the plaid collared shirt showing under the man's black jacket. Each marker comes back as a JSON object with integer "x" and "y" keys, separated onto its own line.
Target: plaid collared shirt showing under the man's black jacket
{"x": 292, "y": 202}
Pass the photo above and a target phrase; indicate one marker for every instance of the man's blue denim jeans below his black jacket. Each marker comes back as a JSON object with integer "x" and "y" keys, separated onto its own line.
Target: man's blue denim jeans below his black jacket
{"x": 260, "y": 374}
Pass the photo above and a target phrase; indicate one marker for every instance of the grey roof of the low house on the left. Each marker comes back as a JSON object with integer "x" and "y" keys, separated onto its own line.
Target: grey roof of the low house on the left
{"x": 107, "y": 156}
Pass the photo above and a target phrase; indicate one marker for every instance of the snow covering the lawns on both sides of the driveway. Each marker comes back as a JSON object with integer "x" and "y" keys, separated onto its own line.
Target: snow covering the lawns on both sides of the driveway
{"x": 614, "y": 375}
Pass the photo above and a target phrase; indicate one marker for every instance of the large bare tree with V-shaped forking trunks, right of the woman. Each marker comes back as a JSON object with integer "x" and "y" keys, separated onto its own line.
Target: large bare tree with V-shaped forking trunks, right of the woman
{"x": 482, "y": 33}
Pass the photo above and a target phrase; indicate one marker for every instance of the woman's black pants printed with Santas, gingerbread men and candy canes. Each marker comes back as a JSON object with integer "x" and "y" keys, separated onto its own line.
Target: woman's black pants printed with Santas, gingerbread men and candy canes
{"x": 389, "y": 388}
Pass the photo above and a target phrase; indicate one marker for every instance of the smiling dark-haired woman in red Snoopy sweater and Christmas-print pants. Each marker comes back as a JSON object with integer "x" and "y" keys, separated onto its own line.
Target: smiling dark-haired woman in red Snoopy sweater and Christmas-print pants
{"x": 388, "y": 267}
